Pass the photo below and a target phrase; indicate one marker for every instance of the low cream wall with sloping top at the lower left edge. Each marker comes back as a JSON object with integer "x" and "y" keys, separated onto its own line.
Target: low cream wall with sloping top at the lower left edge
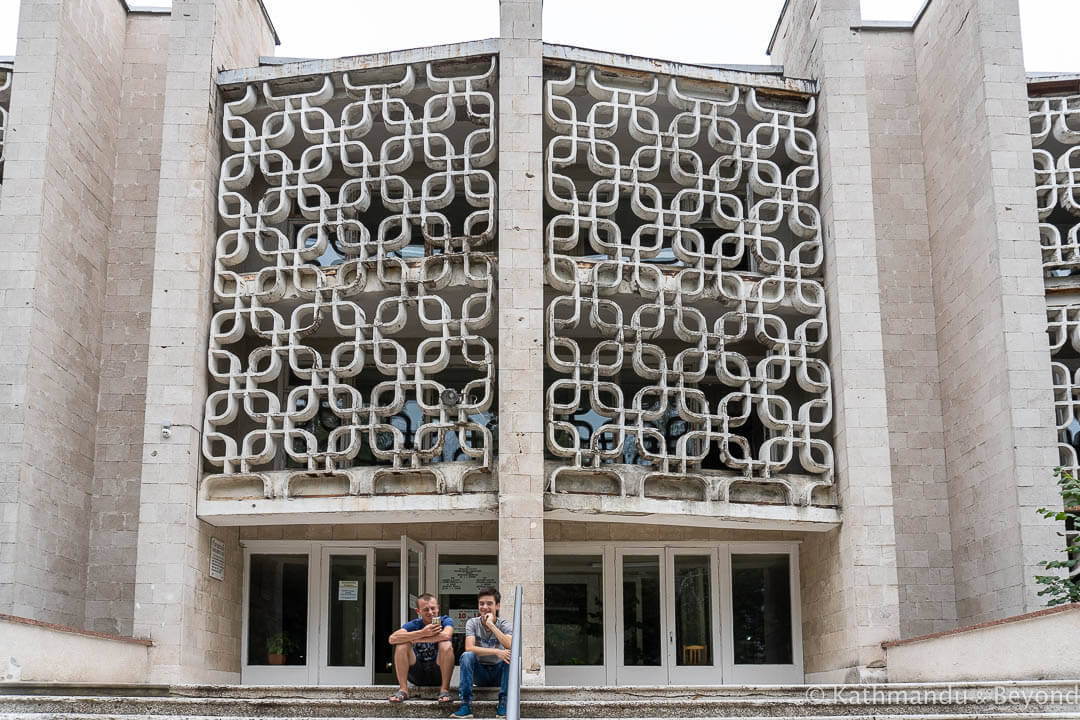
{"x": 35, "y": 651}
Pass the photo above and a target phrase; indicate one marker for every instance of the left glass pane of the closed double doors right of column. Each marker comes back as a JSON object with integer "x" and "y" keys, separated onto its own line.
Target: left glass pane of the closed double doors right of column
{"x": 641, "y": 610}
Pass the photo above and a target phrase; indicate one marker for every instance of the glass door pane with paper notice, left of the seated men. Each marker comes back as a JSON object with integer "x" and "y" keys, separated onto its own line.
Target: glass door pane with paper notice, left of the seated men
{"x": 348, "y": 608}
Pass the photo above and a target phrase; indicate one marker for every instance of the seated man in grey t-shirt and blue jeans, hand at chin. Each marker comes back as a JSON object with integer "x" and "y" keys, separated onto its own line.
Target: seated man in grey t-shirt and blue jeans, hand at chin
{"x": 487, "y": 660}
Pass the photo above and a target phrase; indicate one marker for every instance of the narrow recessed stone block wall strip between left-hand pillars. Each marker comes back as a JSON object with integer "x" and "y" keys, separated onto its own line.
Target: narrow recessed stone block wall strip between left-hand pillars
{"x": 126, "y": 322}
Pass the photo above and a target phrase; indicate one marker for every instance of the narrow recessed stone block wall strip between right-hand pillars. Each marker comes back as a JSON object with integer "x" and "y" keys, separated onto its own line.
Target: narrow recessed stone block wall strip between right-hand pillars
{"x": 910, "y": 336}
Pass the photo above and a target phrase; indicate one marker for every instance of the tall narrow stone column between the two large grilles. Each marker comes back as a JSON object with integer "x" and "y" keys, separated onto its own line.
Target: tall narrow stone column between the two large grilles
{"x": 521, "y": 323}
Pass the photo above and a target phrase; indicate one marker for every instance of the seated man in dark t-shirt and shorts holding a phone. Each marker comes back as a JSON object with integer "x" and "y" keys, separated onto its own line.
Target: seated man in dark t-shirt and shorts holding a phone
{"x": 424, "y": 655}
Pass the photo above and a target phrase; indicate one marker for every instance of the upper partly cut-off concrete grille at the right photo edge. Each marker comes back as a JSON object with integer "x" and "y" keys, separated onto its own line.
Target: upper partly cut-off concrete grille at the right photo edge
{"x": 1056, "y": 135}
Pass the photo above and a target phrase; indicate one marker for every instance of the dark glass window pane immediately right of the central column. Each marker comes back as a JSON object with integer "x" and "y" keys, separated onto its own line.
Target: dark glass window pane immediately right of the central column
{"x": 574, "y": 610}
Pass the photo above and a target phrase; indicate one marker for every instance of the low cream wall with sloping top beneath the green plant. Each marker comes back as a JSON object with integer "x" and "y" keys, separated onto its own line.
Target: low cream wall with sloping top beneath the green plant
{"x": 1037, "y": 646}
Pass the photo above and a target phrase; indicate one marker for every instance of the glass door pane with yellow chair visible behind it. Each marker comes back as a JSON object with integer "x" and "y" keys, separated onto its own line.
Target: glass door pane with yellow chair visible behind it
{"x": 694, "y": 610}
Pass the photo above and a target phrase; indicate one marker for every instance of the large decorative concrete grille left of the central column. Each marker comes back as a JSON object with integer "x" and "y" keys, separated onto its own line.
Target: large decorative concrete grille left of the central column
{"x": 355, "y": 280}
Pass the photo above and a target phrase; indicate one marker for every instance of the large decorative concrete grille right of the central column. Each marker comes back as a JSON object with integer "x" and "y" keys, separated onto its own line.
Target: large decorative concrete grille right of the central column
{"x": 685, "y": 310}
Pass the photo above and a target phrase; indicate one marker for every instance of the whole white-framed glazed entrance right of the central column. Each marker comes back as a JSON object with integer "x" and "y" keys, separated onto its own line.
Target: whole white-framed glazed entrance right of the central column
{"x": 681, "y": 614}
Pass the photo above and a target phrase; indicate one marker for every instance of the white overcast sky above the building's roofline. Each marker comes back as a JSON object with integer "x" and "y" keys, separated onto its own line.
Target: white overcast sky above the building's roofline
{"x": 687, "y": 31}
